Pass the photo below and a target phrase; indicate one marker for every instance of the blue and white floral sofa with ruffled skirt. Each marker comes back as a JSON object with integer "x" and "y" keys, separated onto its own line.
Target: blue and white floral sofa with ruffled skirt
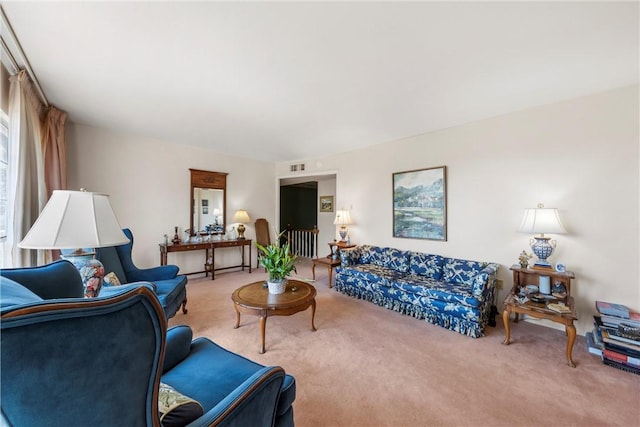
{"x": 454, "y": 293}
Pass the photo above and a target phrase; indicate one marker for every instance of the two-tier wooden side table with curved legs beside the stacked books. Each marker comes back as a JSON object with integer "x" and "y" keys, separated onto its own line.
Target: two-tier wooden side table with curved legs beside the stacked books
{"x": 526, "y": 276}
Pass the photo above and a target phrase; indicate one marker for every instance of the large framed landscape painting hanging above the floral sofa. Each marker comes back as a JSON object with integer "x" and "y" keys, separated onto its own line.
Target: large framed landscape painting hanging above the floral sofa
{"x": 420, "y": 204}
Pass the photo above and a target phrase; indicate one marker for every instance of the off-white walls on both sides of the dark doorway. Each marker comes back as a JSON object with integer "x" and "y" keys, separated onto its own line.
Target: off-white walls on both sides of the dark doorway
{"x": 581, "y": 156}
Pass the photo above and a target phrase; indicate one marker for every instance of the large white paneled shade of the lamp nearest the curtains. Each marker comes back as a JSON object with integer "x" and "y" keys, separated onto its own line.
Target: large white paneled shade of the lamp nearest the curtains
{"x": 75, "y": 219}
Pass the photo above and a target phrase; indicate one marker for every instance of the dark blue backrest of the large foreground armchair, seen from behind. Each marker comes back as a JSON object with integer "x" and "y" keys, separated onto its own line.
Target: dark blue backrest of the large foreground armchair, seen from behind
{"x": 89, "y": 362}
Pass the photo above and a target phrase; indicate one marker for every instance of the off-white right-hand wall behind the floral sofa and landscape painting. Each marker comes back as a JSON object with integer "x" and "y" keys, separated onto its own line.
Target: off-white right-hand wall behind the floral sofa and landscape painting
{"x": 581, "y": 156}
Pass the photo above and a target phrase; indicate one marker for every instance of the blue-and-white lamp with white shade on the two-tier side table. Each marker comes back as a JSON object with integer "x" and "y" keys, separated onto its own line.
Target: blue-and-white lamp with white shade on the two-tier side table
{"x": 542, "y": 220}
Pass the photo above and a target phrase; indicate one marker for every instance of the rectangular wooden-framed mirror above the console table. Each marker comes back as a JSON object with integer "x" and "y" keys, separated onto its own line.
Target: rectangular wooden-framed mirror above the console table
{"x": 208, "y": 194}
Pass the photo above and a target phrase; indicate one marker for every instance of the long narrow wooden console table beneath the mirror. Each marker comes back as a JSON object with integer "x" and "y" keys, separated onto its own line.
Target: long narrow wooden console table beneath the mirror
{"x": 208, "y": 248}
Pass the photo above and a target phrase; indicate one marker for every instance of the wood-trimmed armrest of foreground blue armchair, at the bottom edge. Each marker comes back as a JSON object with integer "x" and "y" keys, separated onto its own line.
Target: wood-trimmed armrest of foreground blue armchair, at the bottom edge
{"x": 252, "y": 403}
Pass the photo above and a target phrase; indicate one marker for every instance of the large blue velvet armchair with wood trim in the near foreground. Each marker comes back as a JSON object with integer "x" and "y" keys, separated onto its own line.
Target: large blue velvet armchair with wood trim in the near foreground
{"x": 75, "y": 361}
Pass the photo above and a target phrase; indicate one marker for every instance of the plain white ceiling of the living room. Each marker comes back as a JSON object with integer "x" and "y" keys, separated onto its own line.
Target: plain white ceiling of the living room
{"x": 288, "y": 81}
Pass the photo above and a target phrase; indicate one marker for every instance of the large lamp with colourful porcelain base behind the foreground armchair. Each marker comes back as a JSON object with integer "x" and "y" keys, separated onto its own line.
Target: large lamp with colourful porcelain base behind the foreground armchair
{"x": 76, "y": 222}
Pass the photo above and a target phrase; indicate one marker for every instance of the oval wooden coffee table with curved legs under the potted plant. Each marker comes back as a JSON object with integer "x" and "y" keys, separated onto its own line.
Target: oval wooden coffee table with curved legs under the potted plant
{"x": 255, "y": 299}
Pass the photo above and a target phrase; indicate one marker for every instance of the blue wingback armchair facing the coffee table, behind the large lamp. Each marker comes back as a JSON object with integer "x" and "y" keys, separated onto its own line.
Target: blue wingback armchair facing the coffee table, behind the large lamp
{"x": 169, "y": 286}
